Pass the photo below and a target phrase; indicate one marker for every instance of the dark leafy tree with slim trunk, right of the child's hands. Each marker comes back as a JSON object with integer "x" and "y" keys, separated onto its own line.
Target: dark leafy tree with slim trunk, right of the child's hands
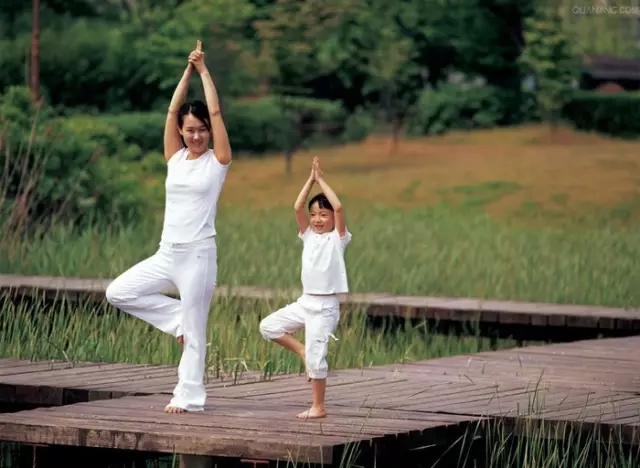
{"x": 360, "y": 52}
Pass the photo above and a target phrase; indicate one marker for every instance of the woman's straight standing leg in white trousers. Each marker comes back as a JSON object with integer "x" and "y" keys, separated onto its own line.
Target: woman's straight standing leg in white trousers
{"x": 196, "y": 278}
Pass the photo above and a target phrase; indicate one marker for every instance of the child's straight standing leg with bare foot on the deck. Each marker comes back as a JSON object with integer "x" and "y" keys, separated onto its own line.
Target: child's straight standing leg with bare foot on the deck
{"x": 319, "y": 329}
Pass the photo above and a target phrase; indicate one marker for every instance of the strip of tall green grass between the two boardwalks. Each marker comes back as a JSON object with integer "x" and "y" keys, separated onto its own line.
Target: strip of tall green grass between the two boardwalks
{"x": 83, "y": 333}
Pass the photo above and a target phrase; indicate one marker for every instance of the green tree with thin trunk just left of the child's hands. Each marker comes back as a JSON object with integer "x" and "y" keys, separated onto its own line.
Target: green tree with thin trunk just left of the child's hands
{"x": 288, "y": 58}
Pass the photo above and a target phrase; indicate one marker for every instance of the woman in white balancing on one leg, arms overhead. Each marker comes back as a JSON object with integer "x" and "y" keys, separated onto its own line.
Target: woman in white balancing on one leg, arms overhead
{"x": 187, "y": 255}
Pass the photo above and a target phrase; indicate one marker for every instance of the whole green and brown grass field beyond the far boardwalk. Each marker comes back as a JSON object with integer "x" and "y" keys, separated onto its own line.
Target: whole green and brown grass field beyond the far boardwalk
{"x": 503, "y": 214}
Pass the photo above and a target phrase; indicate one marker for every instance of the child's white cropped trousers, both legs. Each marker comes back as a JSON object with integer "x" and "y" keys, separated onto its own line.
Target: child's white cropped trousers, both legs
{"x": 319, "y": 315}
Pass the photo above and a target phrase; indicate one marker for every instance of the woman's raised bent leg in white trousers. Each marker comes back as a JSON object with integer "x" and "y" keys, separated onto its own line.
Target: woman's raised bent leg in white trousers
{"x": 137, "y": 292}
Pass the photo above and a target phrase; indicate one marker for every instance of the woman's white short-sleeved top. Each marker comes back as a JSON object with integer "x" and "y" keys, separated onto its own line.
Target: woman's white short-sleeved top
{"x": 192, "y": 191}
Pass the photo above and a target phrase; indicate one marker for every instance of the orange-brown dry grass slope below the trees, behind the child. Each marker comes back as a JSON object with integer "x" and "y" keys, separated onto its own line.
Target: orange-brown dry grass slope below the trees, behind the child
{"x": 519, "y": 175}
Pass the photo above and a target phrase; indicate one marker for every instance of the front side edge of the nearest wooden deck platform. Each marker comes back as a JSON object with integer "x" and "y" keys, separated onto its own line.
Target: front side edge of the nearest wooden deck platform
{"x": 197, "y": 449}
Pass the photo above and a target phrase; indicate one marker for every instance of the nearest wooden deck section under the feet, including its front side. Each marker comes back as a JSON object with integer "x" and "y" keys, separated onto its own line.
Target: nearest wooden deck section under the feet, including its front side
{"x": 258, "y": 430}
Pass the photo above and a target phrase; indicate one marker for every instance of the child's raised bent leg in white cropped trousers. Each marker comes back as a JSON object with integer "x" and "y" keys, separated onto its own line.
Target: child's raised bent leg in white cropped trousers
{"x": 279, "y": 326}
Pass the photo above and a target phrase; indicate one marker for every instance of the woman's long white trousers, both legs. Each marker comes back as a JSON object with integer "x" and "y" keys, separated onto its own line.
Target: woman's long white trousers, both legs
{"x": 192, "y": 269}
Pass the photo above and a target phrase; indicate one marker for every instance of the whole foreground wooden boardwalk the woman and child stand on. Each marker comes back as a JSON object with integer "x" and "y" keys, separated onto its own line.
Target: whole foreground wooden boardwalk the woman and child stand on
{"x": 583, "y": 385}
